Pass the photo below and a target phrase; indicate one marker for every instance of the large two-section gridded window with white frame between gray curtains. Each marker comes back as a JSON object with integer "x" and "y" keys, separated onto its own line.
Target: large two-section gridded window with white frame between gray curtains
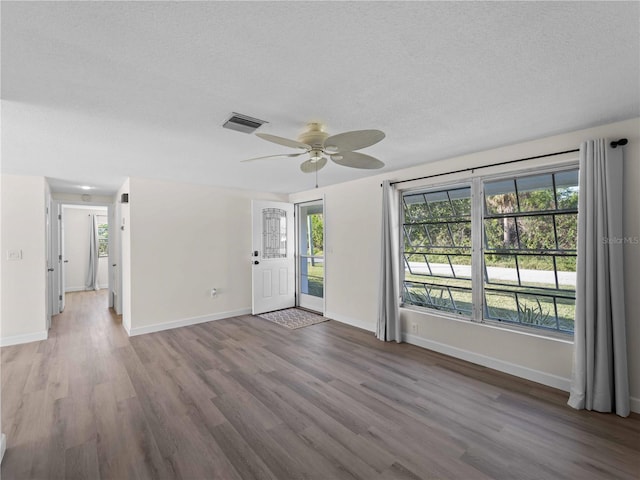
{"x": 527, "y": 227}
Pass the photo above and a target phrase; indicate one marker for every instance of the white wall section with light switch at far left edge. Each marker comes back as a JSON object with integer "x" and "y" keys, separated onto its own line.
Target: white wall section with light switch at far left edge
{"x": 24, "y": 286}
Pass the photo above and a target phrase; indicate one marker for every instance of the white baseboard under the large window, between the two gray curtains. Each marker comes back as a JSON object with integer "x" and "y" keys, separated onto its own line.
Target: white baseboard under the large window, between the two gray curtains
{"x": 544, "y": 378}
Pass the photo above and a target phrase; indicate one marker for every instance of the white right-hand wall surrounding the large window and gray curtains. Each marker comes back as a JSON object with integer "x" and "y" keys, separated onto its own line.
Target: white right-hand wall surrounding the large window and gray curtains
{"x": 353, "y": 212}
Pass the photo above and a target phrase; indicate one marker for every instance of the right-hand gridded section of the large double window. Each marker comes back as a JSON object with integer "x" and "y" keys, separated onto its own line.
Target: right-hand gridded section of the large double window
{"x": 530, "y": 250}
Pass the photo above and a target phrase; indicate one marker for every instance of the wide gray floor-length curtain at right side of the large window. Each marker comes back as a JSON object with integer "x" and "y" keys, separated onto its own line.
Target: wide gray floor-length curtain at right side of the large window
{"x": 600, "y": 379}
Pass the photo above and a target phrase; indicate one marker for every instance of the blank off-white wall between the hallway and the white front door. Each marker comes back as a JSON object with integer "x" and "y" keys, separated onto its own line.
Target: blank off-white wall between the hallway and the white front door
{"x": 185, "y": 240}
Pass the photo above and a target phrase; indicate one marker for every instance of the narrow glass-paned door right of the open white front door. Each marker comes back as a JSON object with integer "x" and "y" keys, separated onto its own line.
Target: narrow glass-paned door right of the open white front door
{"x": 310, "y": 278}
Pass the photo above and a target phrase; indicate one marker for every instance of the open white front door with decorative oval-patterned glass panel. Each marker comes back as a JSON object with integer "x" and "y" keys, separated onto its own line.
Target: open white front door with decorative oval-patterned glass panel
{"x": 273, "y": 262}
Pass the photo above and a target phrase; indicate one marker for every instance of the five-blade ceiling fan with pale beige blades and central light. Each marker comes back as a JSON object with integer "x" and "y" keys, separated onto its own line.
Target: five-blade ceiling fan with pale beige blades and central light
{"x": 319, "y": 145}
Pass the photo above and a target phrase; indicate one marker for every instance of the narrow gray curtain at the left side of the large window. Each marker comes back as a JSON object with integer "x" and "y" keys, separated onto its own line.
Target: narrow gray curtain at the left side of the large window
{"x": 388, "y": 327}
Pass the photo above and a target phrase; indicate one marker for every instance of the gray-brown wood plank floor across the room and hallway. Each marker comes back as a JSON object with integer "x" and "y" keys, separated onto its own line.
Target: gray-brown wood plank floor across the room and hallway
{"x": 244, "y": 398}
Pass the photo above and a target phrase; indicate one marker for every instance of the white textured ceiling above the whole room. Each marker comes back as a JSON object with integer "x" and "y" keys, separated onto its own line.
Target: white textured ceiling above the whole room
{"x": 93, "y": 92}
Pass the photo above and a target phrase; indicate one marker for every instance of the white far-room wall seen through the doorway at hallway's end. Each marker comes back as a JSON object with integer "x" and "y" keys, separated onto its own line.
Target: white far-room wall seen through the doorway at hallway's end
{"x": 77, "y": 222}
